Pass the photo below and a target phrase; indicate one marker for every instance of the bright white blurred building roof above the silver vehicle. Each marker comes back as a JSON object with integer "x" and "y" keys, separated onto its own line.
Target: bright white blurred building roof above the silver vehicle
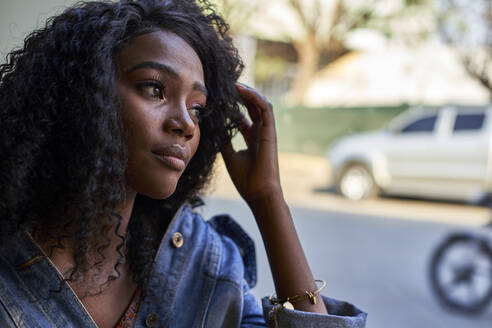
{"x": 391, "y": 75}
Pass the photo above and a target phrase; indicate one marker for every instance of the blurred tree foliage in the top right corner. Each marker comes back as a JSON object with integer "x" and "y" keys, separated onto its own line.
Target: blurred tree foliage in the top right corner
{"x": 467, "y": 26}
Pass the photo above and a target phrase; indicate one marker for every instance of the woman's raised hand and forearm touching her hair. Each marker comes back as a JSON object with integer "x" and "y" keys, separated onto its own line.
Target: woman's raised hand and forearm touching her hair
{"x": 255, "y": 174}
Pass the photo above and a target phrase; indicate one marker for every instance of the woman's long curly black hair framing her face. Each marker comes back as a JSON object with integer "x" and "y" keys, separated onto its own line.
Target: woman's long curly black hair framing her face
{"x": 63, "y": 155}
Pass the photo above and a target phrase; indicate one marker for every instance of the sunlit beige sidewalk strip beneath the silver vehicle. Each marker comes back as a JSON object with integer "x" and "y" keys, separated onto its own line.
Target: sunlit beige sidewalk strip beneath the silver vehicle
{"x": 305, "y": 182}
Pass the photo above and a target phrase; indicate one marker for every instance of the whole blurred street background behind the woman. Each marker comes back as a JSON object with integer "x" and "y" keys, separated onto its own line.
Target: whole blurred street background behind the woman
{"x": 383, "y": 112}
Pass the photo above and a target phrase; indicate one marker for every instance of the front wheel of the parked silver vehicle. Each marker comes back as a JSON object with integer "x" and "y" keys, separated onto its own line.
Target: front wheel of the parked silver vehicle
{"x": 356, "y": 183}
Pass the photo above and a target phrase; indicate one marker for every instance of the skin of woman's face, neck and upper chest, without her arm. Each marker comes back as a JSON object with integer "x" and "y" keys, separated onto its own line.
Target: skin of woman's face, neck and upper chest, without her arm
{"x": 161, "y": 86}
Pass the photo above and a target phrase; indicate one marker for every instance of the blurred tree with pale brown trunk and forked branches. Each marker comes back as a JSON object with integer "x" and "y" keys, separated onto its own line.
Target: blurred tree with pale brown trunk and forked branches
{"x": 316, "y": 27}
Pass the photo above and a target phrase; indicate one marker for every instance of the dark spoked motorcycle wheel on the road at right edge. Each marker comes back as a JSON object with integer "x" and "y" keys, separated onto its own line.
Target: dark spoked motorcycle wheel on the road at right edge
{"x": 461, "y": 273}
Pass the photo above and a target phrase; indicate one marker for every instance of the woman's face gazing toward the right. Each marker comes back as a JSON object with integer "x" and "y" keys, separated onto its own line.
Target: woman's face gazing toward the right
{"x": 162, "y": 91}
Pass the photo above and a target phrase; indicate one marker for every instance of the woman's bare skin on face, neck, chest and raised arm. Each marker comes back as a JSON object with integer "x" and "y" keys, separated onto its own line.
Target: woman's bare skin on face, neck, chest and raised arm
{"x": 161, "y": 85}
